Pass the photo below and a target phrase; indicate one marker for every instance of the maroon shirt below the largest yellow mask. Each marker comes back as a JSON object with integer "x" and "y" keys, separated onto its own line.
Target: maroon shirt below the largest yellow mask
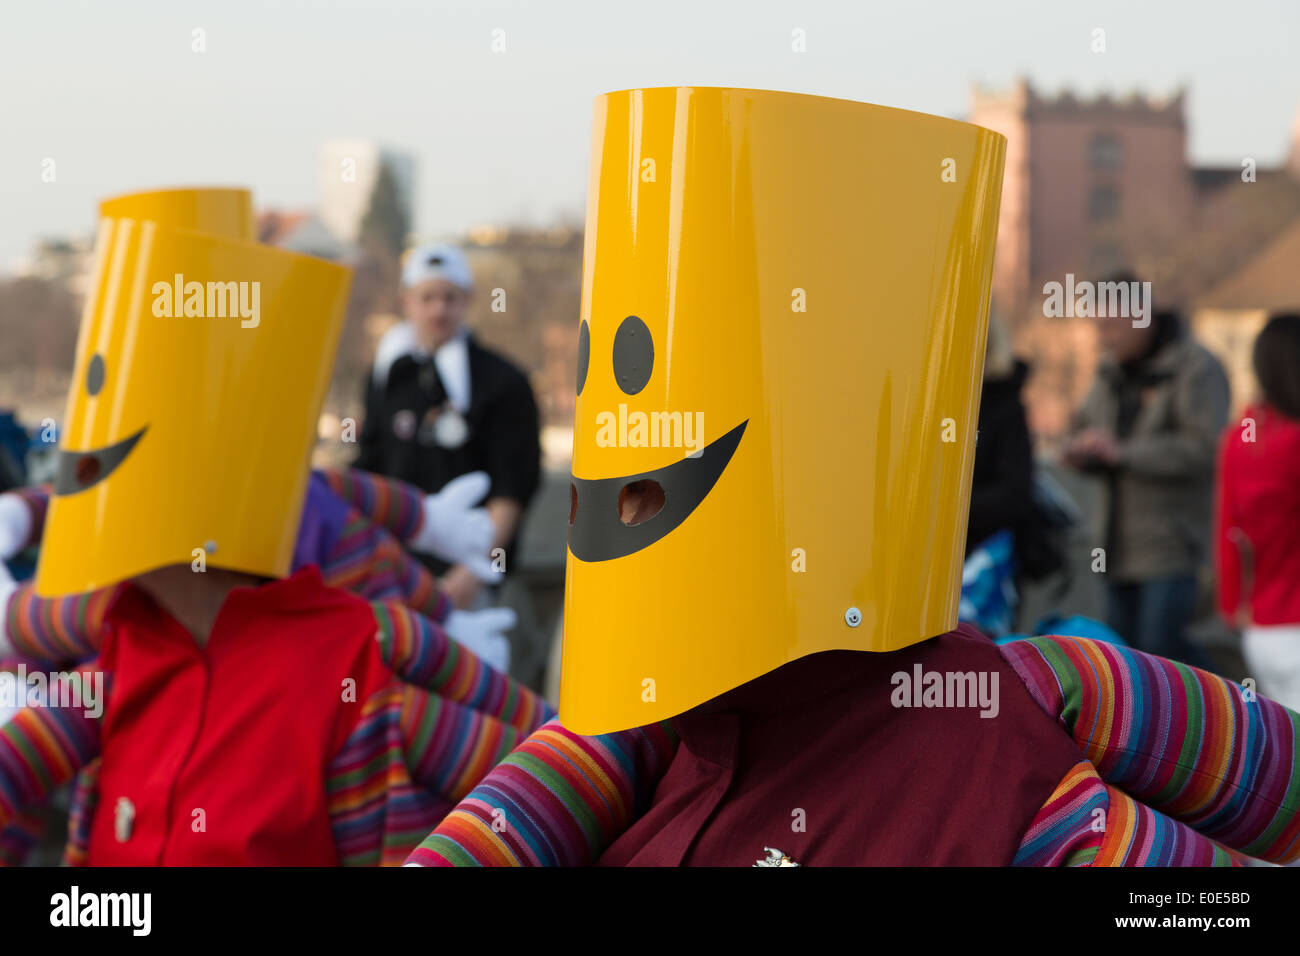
{"x": 816, "y": 760}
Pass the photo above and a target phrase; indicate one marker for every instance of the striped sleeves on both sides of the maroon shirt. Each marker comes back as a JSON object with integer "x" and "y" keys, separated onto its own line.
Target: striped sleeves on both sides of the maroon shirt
{"x": 1204, "y": 763}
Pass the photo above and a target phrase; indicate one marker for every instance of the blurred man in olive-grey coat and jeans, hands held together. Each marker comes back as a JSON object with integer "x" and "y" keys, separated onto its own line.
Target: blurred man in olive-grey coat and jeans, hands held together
{"x": 1150, "y": 430}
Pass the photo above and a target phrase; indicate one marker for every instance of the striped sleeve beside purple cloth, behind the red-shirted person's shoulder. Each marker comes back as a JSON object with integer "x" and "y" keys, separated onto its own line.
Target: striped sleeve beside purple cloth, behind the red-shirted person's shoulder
{"x": 369, "y": 561}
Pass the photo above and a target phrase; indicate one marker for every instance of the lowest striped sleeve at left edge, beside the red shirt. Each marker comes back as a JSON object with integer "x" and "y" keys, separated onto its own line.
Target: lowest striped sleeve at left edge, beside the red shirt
{"x": 41, "y": 749}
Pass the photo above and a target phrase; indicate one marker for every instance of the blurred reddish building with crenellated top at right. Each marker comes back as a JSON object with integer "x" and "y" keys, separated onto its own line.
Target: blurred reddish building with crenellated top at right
{"x": 1104, "y": 184}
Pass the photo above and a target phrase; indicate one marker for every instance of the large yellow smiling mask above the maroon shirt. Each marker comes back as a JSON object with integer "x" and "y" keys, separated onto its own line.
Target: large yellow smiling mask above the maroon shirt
{"x": 785, "y": 309}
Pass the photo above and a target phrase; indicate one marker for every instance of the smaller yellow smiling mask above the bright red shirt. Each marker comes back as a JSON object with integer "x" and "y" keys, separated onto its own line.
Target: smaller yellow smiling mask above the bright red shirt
{"x": 202, "y": 364}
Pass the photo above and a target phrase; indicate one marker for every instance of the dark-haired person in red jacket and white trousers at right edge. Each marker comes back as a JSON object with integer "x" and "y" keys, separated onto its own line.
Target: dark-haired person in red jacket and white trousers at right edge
{"x": 1258, "y": 530}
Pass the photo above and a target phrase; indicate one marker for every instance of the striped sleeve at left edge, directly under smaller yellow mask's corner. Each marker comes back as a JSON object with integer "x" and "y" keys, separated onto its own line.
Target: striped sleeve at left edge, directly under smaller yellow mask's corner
{"x": 55, "y": 630}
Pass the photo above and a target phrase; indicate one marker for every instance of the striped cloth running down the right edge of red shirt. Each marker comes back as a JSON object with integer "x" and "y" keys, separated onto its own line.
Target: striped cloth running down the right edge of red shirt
{"x": 378, "y": 814}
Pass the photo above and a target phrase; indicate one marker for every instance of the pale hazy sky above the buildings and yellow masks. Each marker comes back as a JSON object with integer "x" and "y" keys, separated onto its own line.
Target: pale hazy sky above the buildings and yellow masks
{"x": 114, "y": 93}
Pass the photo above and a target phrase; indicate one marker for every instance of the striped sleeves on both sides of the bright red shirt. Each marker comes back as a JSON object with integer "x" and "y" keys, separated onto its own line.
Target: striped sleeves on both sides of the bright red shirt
{"x": 419, "y": 747}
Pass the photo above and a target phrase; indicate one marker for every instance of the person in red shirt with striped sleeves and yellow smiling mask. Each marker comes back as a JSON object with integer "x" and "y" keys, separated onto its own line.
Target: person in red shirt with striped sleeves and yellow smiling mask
{"x": 240, "y": 710}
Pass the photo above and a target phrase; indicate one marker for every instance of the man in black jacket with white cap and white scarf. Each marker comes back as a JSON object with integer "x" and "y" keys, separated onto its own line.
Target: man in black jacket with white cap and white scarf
{"x": 440, "y": 405}
